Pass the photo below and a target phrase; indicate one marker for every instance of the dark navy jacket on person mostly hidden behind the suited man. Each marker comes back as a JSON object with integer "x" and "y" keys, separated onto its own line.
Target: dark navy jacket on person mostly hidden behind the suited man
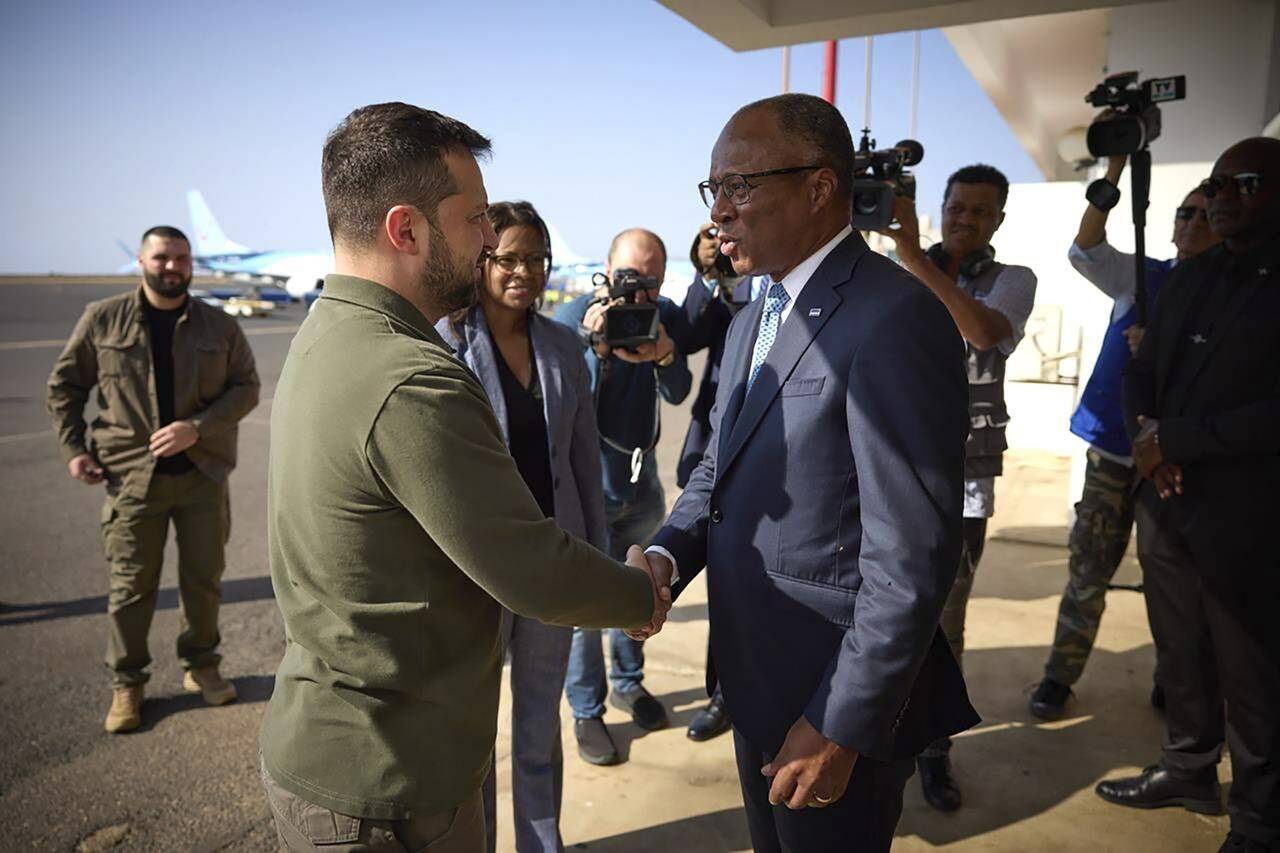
{"x": 703, "y": 325}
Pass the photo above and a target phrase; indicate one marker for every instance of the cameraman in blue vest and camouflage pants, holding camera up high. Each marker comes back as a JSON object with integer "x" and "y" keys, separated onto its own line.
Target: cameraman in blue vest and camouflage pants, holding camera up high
{"x": 1104, "y": 517}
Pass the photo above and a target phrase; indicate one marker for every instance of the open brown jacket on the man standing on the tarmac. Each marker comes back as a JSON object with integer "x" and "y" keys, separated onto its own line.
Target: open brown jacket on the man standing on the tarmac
{"x": 216, "y": 385}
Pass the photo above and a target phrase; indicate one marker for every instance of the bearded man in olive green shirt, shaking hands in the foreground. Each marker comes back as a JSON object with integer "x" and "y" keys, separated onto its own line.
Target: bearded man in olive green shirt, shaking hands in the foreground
{"x": 399, "y": 523}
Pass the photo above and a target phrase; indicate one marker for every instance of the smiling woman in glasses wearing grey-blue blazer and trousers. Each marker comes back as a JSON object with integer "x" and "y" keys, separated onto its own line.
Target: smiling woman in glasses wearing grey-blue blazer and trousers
{"x": 534, "y": 375}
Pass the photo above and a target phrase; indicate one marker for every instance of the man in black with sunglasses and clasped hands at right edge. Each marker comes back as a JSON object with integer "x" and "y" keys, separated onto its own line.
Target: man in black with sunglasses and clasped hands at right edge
{"x": 1203, "y": 404}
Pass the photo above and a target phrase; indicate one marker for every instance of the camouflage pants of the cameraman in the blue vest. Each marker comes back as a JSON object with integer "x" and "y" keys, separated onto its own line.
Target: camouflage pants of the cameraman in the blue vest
{"x": 1104, "y": 521}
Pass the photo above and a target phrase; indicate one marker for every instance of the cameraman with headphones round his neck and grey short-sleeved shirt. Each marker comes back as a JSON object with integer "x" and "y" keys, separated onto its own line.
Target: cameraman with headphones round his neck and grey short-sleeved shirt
{"x": 990, "y": 304}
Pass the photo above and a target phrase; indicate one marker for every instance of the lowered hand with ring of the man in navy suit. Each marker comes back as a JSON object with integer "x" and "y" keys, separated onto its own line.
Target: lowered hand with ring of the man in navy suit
{"x": 810, "y": 770}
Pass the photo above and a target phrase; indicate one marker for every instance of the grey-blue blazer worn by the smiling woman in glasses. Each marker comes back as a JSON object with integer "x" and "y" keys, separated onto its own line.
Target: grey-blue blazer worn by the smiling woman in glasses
{"x": 568, "y": 407}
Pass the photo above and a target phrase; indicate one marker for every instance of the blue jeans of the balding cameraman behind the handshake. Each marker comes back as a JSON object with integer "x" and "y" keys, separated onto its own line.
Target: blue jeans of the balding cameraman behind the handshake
{"x": 630, "y": 523}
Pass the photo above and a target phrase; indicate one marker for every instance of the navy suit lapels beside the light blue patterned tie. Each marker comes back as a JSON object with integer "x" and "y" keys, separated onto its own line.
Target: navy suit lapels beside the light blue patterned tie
{"x": 813, "y": 308}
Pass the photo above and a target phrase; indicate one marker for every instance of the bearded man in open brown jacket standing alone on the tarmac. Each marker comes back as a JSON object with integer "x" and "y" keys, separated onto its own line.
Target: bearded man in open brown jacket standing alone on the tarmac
{"x": 173, "y": 380}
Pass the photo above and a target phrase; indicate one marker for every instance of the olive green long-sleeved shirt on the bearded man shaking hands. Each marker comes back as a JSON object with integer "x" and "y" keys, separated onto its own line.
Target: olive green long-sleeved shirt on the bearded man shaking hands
{"x": 397, "y": 526}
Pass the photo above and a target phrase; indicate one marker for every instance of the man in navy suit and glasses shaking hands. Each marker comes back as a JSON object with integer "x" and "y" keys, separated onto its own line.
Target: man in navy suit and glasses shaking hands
{"x": 828, "y": 509}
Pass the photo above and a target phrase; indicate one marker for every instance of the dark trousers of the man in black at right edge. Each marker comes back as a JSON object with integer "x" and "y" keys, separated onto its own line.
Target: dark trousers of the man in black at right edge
{"x": 1212, "y": 605}
